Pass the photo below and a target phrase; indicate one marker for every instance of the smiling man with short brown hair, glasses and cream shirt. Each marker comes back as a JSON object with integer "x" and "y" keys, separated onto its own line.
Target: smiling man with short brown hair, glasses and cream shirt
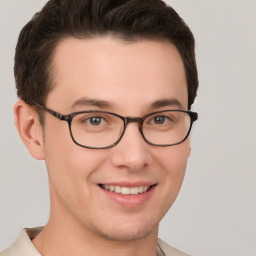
{"x": 105, "y": 90}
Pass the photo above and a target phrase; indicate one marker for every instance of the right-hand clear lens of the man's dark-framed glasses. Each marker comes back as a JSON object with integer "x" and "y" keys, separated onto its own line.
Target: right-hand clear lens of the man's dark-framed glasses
{"x": 166, "y": 128}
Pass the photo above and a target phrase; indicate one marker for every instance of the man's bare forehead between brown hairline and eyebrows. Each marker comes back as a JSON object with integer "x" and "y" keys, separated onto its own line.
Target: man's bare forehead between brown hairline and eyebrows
{"x": 117, "y": 71}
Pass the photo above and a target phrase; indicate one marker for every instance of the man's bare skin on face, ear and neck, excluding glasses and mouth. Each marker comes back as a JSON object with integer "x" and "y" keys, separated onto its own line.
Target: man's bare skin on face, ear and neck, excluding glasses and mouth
{"x": 129, "y": 77}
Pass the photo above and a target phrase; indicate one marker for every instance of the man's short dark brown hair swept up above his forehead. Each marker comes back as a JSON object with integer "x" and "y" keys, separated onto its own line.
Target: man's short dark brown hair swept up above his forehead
{"x": 130, "y": 20}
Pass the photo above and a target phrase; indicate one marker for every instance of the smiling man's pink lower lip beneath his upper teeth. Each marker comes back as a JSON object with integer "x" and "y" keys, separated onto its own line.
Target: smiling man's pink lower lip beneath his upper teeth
{"x": 129, "y": 200}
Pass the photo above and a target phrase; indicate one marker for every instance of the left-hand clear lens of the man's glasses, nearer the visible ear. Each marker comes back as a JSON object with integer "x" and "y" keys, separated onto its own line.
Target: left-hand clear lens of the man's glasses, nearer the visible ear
{"x": 96, "y": 129}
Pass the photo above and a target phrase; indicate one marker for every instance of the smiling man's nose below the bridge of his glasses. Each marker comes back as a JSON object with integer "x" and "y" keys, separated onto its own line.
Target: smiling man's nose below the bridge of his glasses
{"x": 132, "y": 151}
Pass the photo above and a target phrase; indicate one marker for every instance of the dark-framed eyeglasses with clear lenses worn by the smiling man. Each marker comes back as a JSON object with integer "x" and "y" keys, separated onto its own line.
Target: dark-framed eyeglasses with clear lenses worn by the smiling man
{"x": 101, "y": 129}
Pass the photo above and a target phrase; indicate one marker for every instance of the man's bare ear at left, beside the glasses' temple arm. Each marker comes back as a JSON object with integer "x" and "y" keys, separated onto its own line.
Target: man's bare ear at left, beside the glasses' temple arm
{"x": 29, "y": 128}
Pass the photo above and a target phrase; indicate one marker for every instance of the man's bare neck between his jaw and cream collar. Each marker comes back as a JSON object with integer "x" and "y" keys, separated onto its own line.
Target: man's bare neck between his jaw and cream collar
{"x": 65, "y": 236}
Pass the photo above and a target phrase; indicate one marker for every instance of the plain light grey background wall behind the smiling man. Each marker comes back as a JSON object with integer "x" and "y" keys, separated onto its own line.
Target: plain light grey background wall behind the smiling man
{"x": 215, "y": 213}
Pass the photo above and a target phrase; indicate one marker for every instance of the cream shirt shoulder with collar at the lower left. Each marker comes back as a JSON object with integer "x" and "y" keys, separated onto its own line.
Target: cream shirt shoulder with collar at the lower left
{"x": 23, "y": 246}
